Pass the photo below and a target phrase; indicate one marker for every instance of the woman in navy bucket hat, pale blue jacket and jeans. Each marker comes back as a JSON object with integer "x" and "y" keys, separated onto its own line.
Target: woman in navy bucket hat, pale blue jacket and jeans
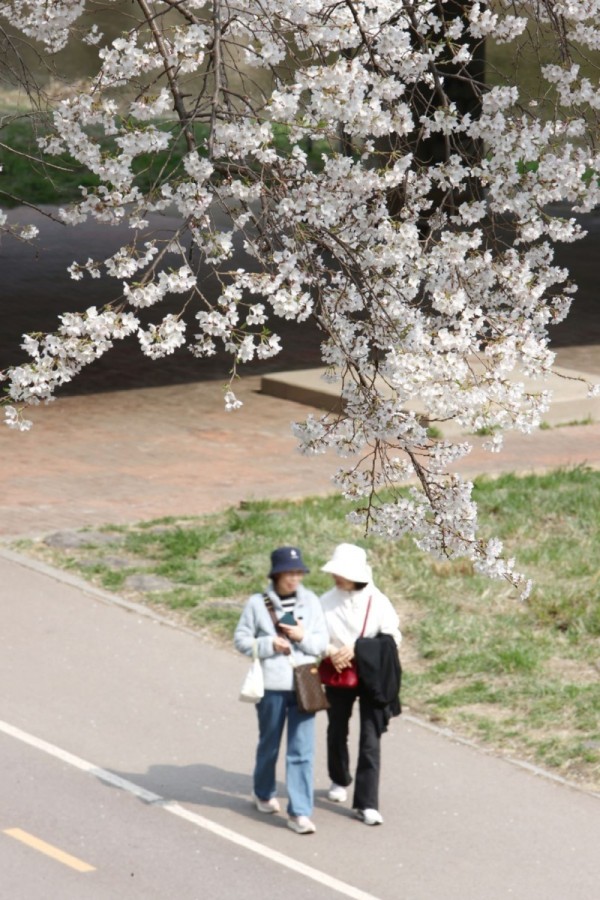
{"x": 279, "y": 648}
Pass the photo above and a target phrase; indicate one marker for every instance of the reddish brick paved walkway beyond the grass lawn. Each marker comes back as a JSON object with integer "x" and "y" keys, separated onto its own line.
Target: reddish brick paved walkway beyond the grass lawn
{"x": 127, "y": 456}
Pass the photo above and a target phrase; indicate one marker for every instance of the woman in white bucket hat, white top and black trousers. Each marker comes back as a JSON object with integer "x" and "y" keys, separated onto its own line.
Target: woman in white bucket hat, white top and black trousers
{"x": 355, "y": 608}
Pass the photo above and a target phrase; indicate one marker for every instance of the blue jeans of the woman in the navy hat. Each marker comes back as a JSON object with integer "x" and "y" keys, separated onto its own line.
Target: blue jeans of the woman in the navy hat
{"x": 273, "y": 710}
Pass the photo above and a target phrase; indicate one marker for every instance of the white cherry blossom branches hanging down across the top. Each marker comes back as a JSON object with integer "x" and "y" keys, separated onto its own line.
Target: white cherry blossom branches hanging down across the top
{"x": 421, "y": 241}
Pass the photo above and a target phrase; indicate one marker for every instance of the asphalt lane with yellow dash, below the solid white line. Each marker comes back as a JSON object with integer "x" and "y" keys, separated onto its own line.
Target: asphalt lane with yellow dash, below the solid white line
{"x": 93, "y": 841}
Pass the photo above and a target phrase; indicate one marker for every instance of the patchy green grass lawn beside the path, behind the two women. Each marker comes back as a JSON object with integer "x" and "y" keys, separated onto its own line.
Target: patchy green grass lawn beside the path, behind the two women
{"x": 524, "y": 679}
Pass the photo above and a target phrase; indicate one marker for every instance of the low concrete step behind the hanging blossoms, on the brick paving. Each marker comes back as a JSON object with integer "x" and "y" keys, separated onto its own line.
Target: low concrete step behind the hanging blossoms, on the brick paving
{"x": 570, "y": 401}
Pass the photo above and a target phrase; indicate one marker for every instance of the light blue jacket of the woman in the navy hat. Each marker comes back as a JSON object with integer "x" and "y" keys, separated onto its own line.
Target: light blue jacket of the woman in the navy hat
{"x": 256, "y": 625}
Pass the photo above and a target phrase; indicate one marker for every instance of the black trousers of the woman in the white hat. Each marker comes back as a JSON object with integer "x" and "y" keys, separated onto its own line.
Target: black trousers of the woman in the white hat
{"x": 366, "y": 785}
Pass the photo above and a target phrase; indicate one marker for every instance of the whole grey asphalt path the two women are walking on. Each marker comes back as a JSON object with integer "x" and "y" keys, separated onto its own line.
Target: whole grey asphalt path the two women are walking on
{"x": 124, "y": 746}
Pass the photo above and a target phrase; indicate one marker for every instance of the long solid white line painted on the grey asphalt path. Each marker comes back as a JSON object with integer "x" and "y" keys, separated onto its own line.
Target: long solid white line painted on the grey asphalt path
{"x": 176, "y": 809}
